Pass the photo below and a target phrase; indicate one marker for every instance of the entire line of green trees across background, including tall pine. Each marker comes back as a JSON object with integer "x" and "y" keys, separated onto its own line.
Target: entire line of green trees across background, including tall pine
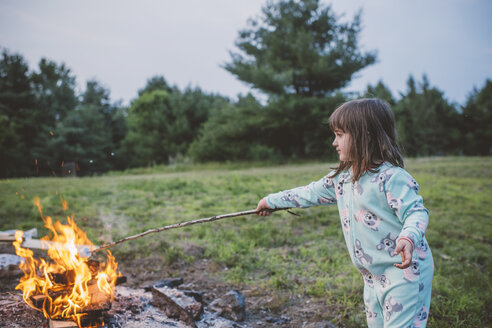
{"x": 297, "y": 54}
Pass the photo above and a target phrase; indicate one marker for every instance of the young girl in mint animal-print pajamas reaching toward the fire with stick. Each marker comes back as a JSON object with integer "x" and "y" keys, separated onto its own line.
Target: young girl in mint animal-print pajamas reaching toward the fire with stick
{"x": 381, "y": 213}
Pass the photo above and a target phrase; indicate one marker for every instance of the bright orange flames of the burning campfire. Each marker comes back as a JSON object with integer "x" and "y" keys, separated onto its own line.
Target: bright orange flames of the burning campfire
{"x": 82, "y": 284}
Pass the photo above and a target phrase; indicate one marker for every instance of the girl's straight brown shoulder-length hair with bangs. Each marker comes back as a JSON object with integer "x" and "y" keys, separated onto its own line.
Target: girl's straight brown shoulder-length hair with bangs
{"x": 373, "y": 137}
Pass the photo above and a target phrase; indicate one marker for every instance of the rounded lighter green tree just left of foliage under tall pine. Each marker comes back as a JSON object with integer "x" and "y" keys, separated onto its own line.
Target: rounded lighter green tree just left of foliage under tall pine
{"x": 162, "y": 125}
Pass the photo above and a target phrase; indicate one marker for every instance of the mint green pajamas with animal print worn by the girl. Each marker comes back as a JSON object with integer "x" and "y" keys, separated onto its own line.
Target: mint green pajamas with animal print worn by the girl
{"x": 374, "y": 212}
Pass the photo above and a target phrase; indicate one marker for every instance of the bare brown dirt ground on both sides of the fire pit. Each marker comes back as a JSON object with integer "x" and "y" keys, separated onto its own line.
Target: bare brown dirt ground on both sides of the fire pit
{"x": 264, "y": 308}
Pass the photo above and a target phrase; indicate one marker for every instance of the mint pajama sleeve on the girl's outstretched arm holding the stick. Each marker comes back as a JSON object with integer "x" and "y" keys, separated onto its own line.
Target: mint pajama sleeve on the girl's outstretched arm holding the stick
{"x": 321, "y": 192}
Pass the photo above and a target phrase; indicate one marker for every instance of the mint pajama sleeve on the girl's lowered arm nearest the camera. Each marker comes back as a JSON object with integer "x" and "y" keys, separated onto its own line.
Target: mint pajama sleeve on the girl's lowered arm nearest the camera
{"x": 403, "y": 198}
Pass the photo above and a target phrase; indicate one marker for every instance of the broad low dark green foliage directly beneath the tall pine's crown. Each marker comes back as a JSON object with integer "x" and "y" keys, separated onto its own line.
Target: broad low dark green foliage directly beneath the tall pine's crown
{"x": 287, "y": 127}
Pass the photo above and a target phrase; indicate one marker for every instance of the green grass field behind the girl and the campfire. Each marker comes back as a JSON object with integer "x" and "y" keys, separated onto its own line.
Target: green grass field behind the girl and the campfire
{"x": 286, "y": 254}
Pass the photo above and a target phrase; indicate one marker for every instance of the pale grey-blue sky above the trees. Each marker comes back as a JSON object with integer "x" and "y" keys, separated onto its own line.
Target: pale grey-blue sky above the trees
{"x": 123, "y": 43}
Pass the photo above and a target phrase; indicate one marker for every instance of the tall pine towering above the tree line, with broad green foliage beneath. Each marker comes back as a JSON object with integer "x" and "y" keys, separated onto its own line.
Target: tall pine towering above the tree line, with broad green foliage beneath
{"x": 299, "y": 54}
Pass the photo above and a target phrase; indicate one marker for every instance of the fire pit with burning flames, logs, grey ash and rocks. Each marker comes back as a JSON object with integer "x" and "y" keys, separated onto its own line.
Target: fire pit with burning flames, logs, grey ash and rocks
{"x": 73, "y": 291}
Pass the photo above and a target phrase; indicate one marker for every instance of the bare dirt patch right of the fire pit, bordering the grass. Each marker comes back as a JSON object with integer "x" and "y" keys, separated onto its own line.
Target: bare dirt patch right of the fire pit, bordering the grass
{"x": 264, "y": 308}
